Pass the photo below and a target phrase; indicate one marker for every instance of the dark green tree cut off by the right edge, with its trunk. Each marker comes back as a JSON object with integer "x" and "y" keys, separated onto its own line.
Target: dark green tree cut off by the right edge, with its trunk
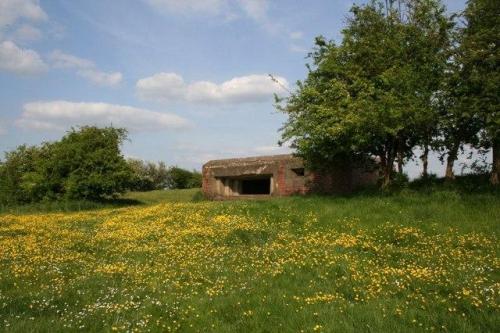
{"x": 480, "y": 77}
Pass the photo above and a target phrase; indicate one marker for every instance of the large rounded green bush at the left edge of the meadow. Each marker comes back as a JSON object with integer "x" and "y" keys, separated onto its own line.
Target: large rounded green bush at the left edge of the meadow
{"x": 86, "y": 164}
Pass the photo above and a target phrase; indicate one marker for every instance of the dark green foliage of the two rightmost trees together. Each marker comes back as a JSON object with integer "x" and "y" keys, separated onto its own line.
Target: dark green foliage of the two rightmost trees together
{"x": 468, "y": 94}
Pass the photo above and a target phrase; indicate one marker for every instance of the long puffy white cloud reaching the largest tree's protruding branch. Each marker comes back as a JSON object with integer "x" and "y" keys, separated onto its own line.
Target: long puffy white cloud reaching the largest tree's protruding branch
{"x": 168, "y": 87}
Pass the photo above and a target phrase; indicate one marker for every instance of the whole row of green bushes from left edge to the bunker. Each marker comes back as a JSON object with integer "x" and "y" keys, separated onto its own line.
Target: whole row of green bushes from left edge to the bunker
{"x": 86, "y": 164}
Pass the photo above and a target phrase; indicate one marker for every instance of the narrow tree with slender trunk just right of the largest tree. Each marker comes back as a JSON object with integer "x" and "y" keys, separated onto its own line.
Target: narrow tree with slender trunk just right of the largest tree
{"x": 430, "y": 33}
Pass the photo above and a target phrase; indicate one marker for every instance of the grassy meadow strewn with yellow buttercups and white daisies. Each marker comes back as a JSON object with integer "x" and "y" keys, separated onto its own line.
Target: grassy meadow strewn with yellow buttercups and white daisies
{"x": 413, "y": 261}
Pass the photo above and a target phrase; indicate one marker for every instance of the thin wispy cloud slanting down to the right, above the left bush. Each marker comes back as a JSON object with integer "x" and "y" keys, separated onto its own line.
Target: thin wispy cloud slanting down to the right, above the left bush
{"x": 85, "y": 68}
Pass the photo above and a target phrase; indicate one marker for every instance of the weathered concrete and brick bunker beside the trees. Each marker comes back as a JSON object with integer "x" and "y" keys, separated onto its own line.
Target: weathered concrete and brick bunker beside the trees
{"x": 222, "y": 178}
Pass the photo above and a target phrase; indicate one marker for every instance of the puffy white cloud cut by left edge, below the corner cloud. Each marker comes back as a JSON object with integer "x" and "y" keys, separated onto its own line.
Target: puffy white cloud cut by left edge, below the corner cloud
{"x": 20, "y": 61}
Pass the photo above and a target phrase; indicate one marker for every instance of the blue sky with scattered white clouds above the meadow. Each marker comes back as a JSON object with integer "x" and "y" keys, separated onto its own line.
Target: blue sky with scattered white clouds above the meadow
{"x": 187, "y": 78}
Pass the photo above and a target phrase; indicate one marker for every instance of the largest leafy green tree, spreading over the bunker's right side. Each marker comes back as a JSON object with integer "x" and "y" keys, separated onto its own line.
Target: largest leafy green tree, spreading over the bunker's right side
{"x": 372, "y": 95}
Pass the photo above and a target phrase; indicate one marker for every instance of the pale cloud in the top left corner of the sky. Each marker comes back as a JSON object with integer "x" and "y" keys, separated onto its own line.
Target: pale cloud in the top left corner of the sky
{"x": 12, "y": 10}
